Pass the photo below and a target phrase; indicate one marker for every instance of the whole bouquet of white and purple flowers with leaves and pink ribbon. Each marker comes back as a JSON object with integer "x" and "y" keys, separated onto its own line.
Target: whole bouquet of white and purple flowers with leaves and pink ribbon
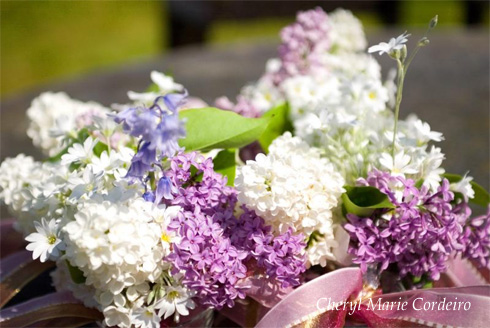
{"x": 156, "y": 212}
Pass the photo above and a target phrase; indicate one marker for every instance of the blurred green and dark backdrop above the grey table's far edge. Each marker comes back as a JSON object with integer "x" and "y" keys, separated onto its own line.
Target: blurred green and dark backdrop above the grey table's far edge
{"x": 43, "y": 41}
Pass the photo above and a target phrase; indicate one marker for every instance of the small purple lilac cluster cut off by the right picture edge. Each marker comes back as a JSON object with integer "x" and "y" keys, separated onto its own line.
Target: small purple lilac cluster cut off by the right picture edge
{"x": 477, "y": 239}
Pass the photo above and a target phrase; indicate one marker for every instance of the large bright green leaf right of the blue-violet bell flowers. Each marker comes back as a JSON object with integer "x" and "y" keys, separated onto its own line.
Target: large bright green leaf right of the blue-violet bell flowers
{"x": 212, "y": 128}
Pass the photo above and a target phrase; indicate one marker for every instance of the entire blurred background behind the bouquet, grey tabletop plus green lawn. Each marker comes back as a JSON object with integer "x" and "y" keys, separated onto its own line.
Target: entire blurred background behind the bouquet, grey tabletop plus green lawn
{"x": 98, "y": 50}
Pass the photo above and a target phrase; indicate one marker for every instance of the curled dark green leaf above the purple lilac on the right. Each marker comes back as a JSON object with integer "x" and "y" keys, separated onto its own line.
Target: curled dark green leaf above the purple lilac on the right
{"x": 362, "y": 201}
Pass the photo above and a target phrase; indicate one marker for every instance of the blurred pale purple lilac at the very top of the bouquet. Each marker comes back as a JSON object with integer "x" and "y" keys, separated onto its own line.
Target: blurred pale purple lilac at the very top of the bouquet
{"x": 303, "y": 43}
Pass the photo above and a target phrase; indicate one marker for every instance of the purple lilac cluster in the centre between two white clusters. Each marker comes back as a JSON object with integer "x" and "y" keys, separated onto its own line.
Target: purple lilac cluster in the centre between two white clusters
{"x": 218, "y": 249}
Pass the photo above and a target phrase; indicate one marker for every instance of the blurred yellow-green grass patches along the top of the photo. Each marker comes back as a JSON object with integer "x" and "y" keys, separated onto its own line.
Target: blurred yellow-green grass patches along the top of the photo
{"x": 42, "y": 41}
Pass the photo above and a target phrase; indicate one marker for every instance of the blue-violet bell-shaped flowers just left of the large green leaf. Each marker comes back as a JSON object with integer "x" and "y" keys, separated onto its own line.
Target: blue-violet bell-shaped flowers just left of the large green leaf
{"x": 158, "y": 128}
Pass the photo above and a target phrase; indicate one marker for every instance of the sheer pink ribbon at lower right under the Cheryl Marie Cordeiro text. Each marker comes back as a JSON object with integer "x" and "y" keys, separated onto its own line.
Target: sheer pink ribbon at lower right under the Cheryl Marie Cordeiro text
{"x": 312, "y": 305}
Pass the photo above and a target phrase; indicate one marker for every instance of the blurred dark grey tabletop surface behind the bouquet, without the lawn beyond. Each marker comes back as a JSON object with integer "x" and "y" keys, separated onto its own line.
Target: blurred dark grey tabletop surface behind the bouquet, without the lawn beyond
{"x": 447, "y": 85}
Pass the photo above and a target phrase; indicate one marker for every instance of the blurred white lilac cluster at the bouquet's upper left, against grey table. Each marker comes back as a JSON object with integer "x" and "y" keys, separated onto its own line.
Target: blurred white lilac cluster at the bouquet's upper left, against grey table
{"x": 55, "y": 116}
